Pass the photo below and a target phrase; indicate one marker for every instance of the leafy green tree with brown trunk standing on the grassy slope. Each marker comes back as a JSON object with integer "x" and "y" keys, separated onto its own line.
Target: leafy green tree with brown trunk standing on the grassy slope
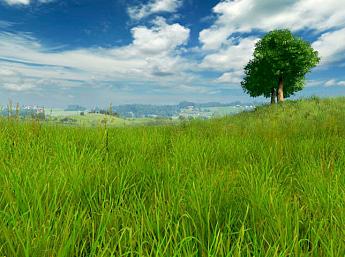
{"x": 281, "y": 61}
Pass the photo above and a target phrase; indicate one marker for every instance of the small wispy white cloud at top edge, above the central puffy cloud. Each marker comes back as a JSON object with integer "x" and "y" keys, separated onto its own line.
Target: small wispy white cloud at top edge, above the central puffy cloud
{"x": 153, "y": 6}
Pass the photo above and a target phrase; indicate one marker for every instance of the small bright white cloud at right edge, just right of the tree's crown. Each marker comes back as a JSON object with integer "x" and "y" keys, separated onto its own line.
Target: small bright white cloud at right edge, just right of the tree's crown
{"x": 331, "y": 46}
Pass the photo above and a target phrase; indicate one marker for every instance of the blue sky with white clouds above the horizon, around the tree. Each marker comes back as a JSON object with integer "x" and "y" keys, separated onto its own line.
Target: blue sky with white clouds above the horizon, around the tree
{"x": 59, "y": 52}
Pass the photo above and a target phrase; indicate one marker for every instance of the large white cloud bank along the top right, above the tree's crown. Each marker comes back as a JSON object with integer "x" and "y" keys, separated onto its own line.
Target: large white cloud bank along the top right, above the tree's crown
{"x": 248, "y": 15}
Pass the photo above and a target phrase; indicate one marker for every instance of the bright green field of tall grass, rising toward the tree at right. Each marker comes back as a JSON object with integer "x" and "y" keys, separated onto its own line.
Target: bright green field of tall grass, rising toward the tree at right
{"x": 265, "y": 183}
